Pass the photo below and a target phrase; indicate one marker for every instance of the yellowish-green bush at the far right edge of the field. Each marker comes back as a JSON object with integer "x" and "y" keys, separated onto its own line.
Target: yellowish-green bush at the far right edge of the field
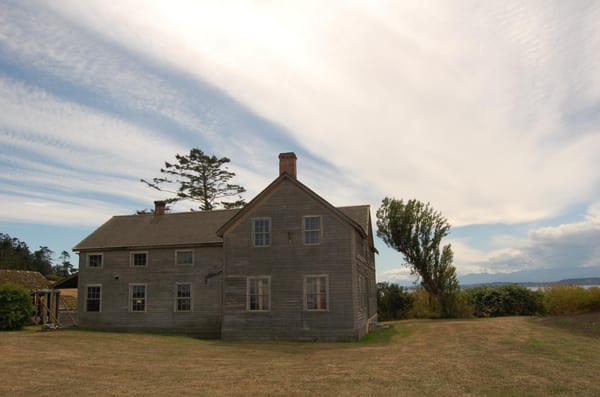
{"x": 571, "y": 299}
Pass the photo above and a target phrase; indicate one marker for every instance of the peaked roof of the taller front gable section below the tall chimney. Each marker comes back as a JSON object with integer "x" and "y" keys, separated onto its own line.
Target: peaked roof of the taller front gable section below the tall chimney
{"x": 357, "y": 216}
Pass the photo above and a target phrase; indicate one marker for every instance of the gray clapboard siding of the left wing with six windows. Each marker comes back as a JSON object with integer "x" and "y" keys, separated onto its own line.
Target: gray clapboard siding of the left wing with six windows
{"x": 160, "y": 277}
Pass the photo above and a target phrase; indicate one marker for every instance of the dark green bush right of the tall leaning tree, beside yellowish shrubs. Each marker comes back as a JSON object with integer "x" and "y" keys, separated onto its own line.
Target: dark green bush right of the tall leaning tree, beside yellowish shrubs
{"x": 506, "y": 300}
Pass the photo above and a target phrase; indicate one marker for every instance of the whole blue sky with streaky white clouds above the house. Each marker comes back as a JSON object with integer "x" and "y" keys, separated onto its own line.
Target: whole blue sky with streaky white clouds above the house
{"x": 489, "y": 111}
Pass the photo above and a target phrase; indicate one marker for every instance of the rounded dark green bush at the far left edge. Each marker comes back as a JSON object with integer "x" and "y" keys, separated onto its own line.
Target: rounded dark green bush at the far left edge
{"x": 15, "y": 307}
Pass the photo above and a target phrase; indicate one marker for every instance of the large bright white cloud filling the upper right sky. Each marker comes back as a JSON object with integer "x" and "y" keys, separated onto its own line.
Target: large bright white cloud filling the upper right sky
{"x": 466, "y": 110}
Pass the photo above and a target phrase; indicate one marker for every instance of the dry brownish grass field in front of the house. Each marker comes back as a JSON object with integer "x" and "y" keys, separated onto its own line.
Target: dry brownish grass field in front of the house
{"x": 514, "y": 356}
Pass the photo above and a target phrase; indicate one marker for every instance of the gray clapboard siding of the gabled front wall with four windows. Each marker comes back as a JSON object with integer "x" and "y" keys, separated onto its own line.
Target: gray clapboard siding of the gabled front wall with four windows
{"x": 287, "y": 261}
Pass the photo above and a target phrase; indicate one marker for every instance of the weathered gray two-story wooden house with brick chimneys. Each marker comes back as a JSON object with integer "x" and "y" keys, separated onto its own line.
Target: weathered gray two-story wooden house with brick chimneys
{"x": 288, "y": 265}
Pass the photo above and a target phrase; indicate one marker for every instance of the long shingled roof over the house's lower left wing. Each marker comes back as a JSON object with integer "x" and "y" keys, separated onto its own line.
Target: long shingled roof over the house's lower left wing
{"x": 148, "y": 230}
